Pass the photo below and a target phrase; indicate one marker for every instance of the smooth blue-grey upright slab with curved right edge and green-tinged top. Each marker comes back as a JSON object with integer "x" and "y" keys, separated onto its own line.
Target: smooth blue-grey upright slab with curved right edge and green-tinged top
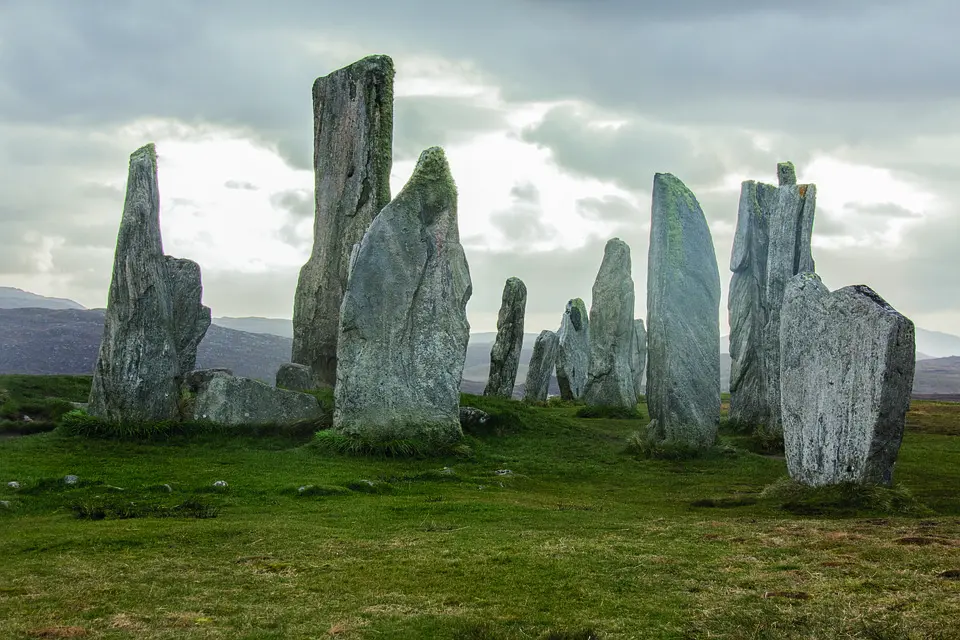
{"x": 683, "y": 330}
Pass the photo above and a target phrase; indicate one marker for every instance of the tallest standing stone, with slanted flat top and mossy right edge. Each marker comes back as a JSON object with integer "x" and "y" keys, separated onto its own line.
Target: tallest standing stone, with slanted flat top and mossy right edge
{"x": 352, "y": 157}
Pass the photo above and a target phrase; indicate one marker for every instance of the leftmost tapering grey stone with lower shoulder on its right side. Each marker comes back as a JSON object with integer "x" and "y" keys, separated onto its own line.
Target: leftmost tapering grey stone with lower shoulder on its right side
{"x": 154, "y": 320}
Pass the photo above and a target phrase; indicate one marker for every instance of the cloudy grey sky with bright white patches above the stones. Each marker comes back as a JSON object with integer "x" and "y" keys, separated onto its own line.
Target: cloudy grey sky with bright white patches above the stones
{"x": 555, "y": 115}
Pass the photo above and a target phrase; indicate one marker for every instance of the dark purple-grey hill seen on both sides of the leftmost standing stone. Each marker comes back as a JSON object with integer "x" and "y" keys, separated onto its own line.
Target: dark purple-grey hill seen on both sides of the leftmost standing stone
{"x": 67, "y": 341}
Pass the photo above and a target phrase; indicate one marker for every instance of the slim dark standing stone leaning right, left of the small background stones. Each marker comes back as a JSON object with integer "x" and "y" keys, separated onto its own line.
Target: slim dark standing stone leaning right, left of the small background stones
{"x": 505, "y": 353}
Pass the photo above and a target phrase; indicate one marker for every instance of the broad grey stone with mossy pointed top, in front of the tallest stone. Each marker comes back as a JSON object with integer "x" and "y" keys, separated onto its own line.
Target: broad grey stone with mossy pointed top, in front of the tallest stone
{"x": 403, "y": 325}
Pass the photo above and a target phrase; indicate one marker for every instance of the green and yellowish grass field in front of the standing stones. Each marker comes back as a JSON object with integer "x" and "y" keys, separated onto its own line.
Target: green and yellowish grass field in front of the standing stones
{"x": 550, "y": 530}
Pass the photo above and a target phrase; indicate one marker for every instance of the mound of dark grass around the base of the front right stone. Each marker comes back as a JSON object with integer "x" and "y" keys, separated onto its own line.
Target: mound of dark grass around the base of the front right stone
{"x": 844, "y": 499}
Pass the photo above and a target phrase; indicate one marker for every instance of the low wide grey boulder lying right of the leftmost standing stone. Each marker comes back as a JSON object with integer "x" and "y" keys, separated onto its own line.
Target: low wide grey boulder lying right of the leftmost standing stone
{"x": 230, "y": 400}
